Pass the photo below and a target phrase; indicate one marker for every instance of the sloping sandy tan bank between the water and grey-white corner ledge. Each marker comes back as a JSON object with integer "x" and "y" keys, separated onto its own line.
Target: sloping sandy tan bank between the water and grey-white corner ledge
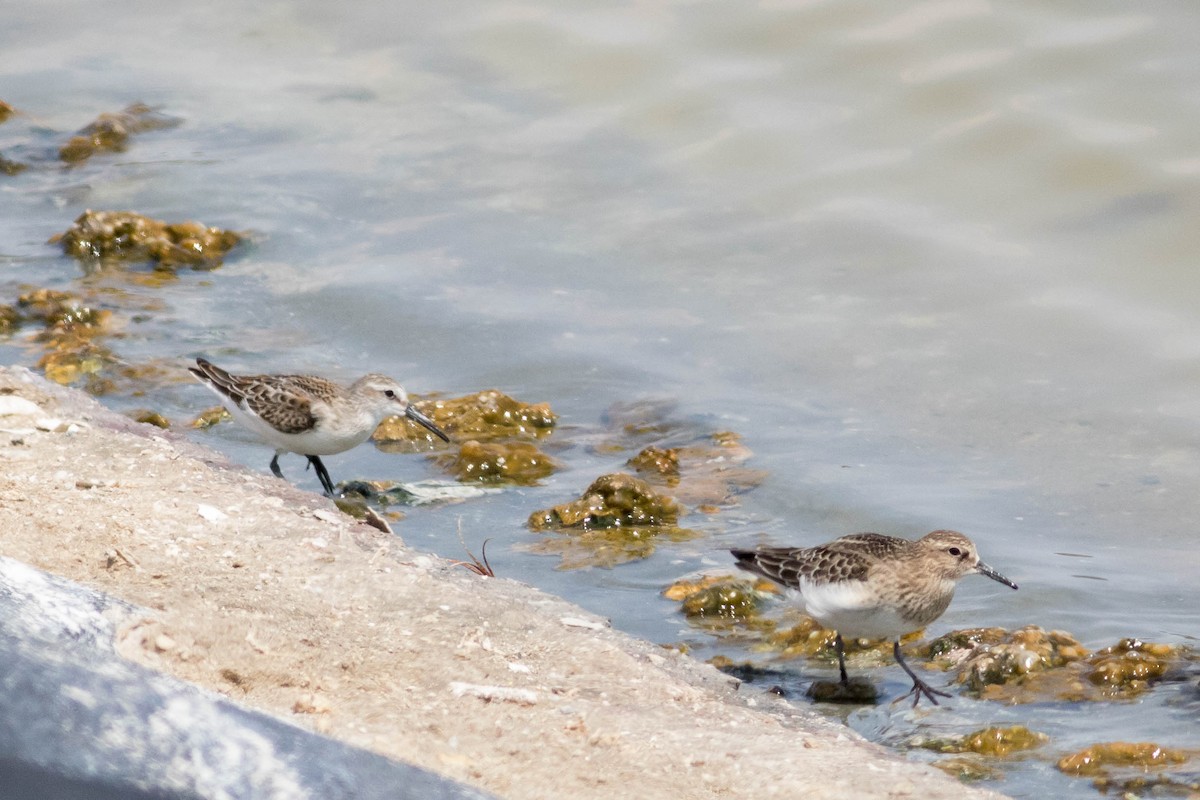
{"x": 277, "y": 600}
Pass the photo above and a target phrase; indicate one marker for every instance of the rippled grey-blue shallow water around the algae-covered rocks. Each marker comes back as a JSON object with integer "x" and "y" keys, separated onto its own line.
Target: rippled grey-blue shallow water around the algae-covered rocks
{"x": 934, "y": 264}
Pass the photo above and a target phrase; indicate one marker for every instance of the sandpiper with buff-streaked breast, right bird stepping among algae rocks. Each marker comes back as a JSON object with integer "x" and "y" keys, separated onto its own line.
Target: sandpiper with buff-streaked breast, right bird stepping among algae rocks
{"x": 874, "y": 587}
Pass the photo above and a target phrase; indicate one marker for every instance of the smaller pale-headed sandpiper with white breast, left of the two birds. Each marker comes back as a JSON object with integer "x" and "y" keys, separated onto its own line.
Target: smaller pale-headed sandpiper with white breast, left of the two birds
{"x": 310, "y": 416}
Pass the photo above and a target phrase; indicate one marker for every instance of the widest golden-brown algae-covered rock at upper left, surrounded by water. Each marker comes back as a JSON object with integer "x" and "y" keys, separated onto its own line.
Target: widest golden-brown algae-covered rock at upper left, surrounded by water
{"x": 127, "y": 237}
